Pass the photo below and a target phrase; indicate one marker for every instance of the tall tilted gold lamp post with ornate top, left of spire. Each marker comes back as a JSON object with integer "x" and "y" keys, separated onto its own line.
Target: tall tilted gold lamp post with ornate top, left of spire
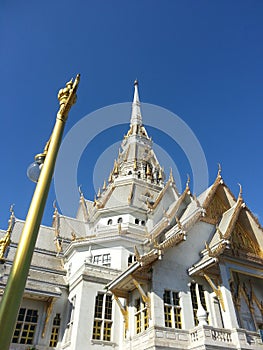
{"x": 14, "y": 290}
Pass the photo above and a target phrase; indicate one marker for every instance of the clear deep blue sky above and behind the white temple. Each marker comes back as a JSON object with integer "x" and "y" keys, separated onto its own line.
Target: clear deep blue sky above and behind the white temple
{"x": 200, "y": 59}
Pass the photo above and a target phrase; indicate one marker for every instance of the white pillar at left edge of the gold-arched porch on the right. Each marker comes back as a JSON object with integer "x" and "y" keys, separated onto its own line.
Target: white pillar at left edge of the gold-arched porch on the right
{"x": 229, "y": 315}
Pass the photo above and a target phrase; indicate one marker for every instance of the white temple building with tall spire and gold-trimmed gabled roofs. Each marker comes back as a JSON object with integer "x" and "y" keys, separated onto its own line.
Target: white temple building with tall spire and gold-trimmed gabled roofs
{"x": 143, "y": 266}
